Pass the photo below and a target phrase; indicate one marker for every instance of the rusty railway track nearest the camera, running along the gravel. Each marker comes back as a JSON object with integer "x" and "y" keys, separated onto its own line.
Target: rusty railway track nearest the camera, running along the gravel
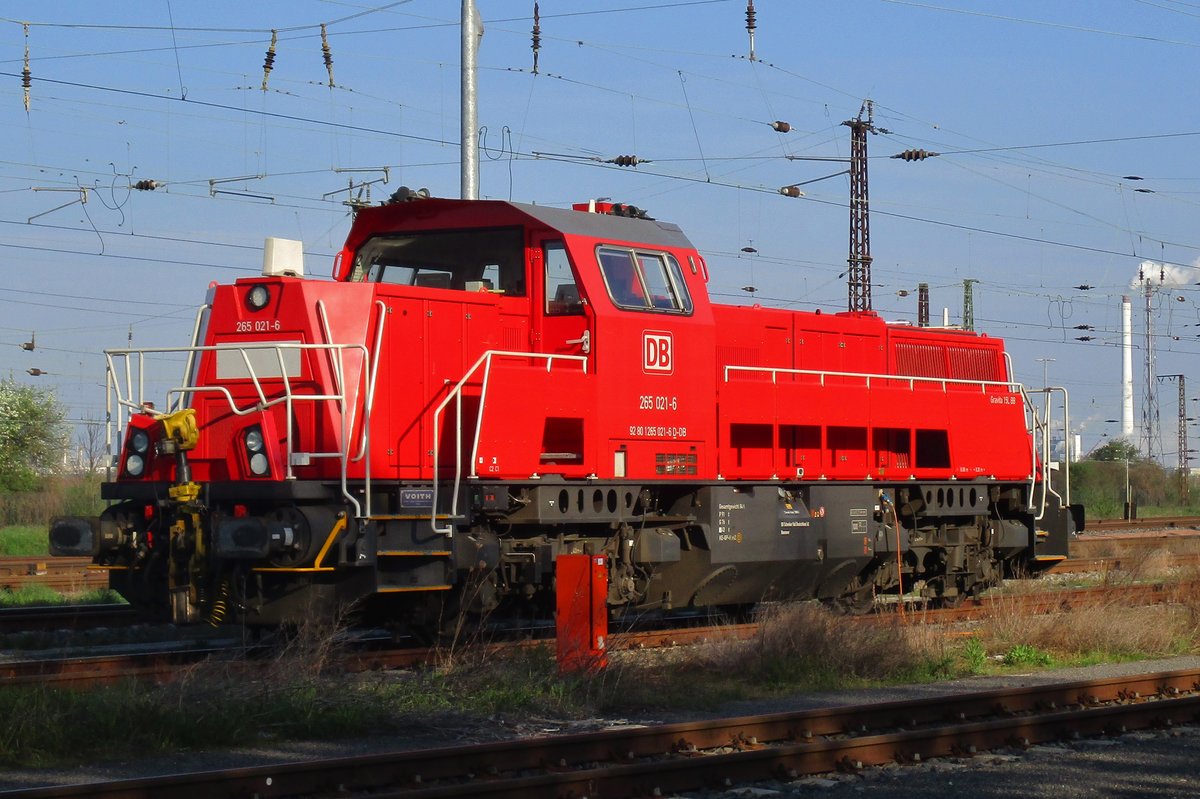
{"x": 713, "y": 754}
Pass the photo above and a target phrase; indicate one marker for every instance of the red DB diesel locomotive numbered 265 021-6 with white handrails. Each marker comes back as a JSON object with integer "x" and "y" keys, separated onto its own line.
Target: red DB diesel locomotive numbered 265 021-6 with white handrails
{"x": 487, "y": 386}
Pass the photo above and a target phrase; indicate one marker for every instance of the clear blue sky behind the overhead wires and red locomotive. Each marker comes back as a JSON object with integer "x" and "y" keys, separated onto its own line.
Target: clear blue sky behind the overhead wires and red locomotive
{"x": 1042, "y": 112}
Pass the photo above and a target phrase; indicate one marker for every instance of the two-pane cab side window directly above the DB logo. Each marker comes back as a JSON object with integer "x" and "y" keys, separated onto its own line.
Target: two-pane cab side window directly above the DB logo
{"x": 644, "y": 281}
